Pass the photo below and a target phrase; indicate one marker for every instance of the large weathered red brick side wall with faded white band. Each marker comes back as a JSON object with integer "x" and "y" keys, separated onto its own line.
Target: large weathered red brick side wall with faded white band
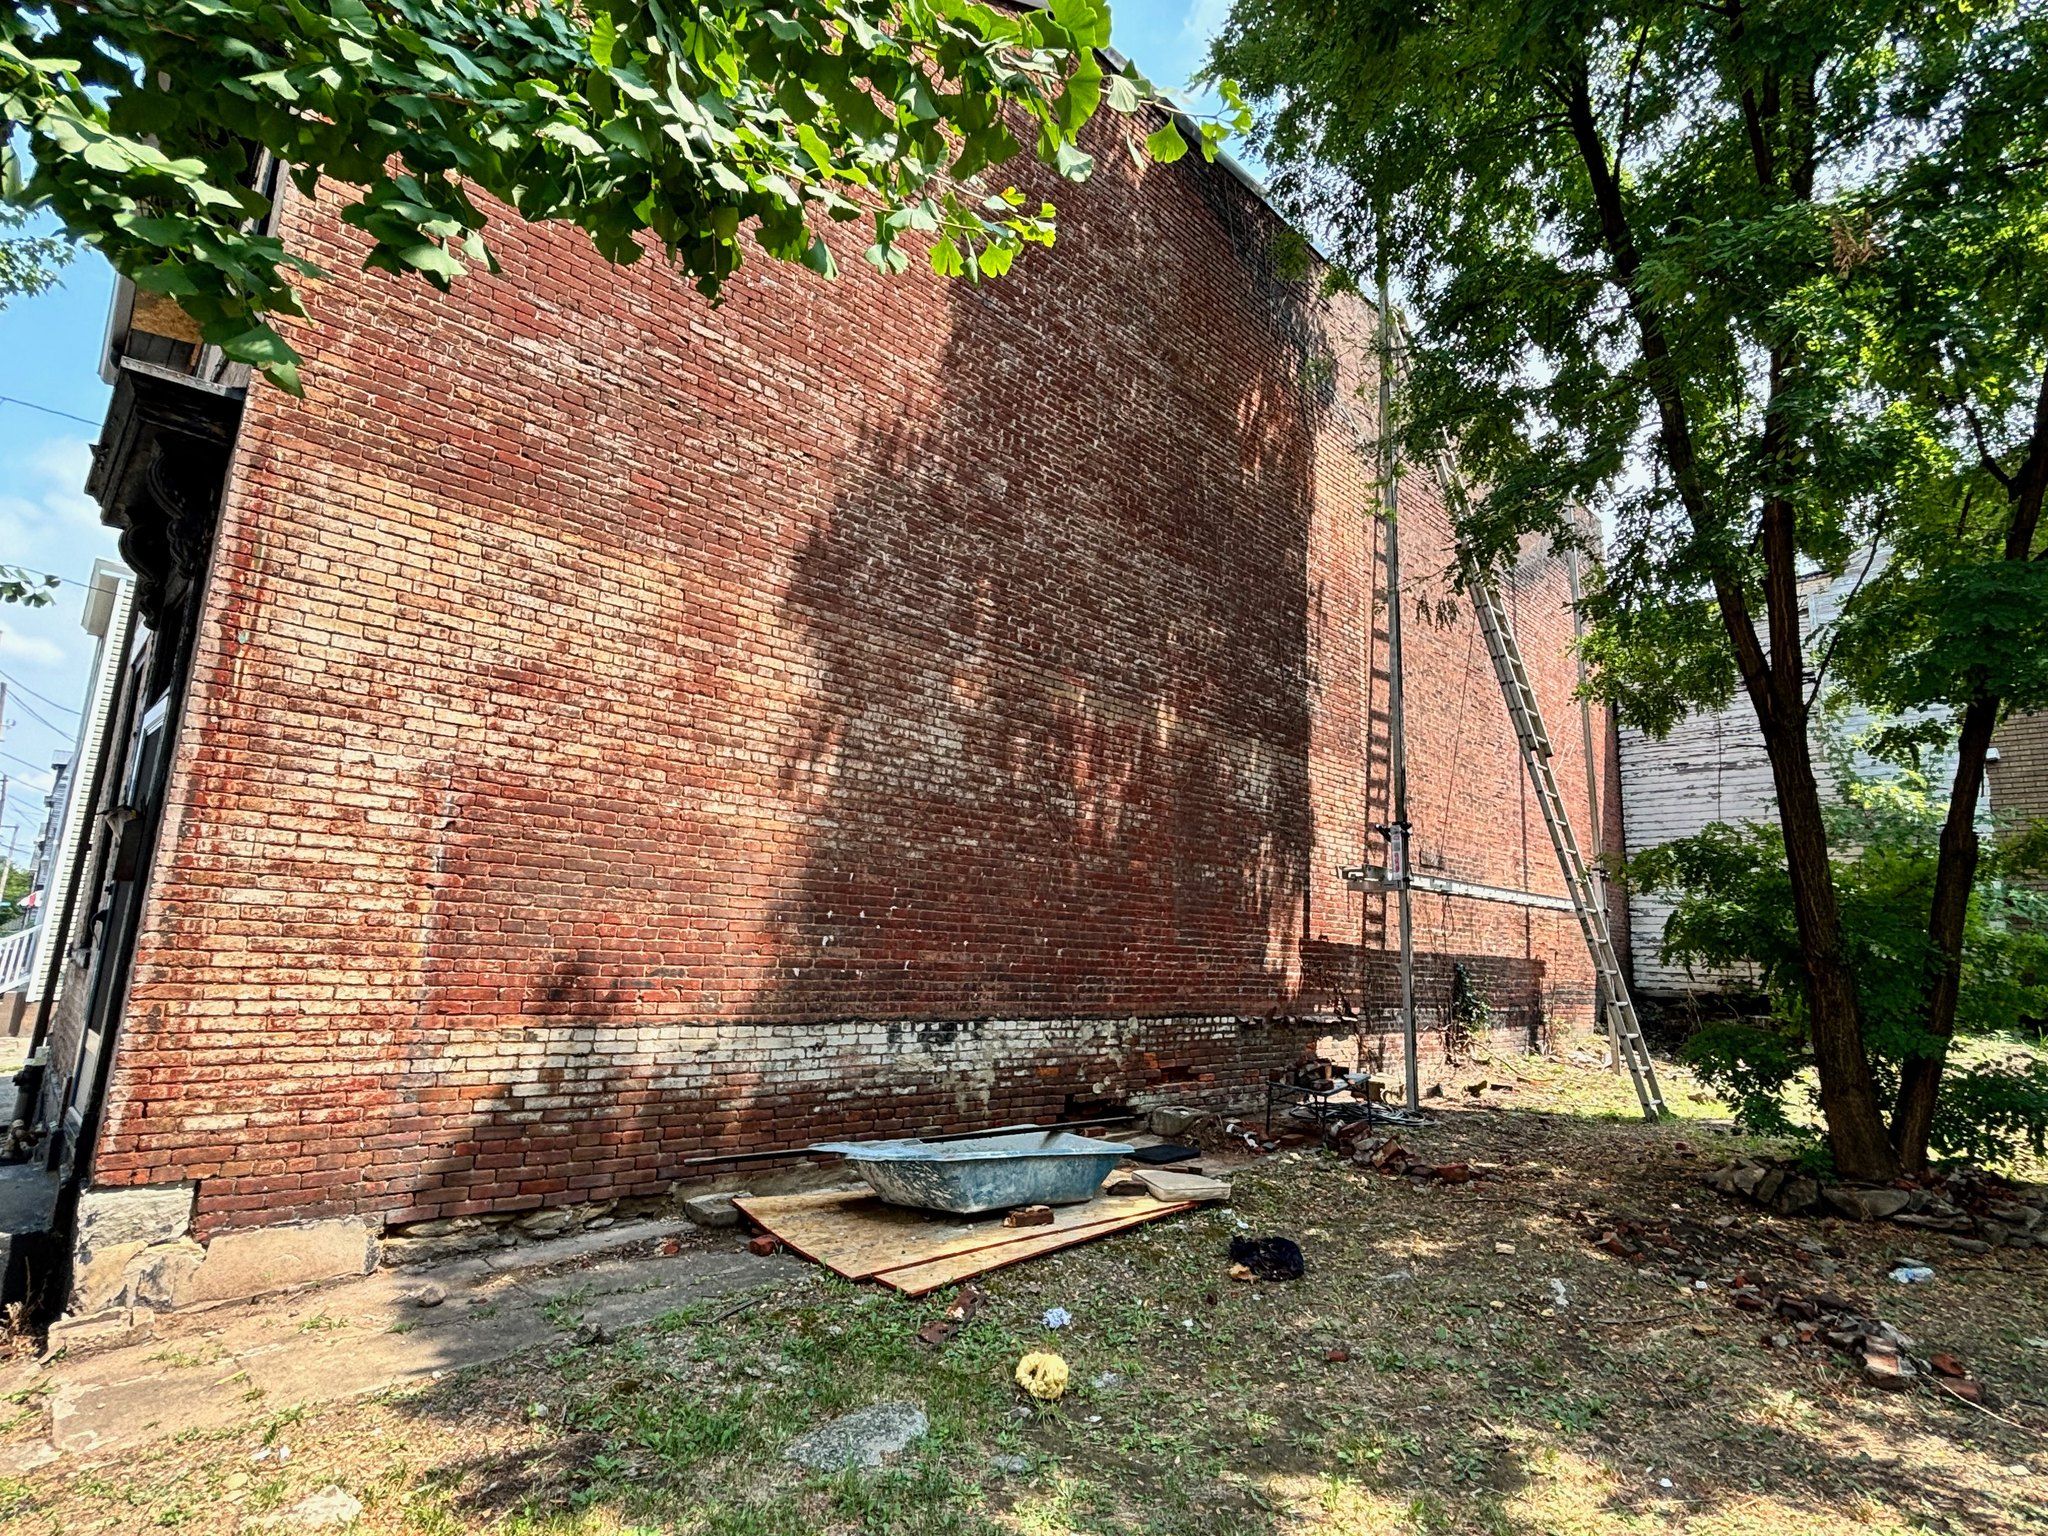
{"x": 628, "y": 728}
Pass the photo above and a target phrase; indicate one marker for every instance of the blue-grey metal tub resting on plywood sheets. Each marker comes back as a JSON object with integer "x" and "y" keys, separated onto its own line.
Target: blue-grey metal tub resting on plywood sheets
{"x": 1037, "y": 1168}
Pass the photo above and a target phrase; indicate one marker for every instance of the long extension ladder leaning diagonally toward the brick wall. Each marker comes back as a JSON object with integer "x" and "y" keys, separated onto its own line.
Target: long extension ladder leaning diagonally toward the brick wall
{"x": 1535, "y": 742}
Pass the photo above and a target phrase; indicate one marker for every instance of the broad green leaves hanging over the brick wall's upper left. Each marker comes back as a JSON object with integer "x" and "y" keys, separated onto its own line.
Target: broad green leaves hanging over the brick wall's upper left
{"x": 691, "y": 124}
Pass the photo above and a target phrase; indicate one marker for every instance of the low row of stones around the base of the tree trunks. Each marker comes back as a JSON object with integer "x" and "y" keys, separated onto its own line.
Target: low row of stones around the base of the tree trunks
{"x": 1977, "y": 1211}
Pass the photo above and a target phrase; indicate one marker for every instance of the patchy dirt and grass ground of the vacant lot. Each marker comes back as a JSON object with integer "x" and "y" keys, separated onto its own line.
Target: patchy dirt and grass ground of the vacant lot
{"x": 1457, "y": 1359}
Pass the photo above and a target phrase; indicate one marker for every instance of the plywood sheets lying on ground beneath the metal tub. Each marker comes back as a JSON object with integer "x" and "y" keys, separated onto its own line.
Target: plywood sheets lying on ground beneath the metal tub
{"x": 859, "y": 1236}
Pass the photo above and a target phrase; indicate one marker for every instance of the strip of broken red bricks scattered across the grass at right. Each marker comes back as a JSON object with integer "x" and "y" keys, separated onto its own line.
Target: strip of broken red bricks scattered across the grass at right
{"x": 1797, "y": 1316}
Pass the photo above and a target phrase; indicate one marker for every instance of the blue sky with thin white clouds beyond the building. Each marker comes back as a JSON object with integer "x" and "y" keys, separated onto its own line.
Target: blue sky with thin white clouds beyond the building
{"x": 50, "y": 357}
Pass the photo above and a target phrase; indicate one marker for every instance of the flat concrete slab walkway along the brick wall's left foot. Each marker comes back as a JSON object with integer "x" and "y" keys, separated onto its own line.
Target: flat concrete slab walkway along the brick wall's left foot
{"x": 364, "y": 1336}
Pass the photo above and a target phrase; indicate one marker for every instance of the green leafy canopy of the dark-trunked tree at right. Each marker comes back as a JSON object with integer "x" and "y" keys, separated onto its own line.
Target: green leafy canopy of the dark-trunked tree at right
{"x": 1687, "y": 261}
